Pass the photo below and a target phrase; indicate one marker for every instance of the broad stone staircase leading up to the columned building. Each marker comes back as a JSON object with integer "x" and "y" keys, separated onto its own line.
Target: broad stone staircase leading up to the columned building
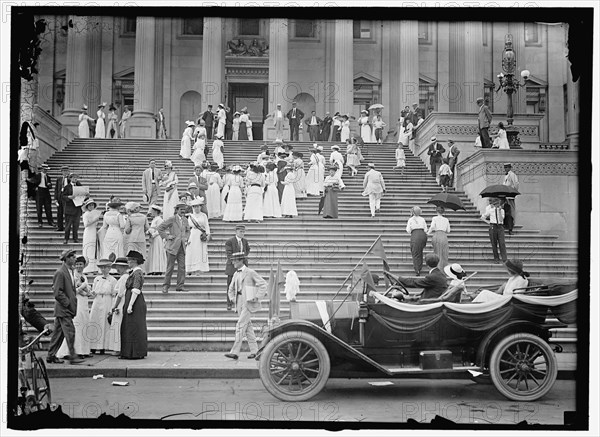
{"x": 322, "y": 252}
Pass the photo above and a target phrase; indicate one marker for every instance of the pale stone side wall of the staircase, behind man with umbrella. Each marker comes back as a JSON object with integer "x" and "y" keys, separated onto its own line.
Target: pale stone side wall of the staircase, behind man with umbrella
{"x": 548, "y": 183}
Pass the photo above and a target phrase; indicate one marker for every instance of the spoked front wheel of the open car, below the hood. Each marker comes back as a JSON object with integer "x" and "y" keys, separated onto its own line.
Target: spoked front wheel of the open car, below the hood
{"x": 294, "y": 366}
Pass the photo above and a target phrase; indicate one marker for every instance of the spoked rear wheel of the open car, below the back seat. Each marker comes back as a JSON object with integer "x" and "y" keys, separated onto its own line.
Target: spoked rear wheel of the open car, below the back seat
{"x": 523, "y": 367}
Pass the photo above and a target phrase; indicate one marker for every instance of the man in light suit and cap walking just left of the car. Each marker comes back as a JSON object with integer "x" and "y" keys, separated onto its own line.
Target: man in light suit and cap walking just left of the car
{"x": 246, "y": 290}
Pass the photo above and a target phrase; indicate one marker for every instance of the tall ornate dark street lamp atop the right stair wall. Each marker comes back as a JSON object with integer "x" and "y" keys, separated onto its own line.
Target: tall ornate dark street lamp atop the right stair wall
{"x": 509, "y": 85}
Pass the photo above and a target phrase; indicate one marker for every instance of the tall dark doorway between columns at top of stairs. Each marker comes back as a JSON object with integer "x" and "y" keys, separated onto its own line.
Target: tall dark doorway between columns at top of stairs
{"x": 252, "y": 96}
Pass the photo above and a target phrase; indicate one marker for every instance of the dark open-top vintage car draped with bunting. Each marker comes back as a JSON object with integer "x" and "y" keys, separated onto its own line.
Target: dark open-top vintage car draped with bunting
{"x": 380, "y": 337}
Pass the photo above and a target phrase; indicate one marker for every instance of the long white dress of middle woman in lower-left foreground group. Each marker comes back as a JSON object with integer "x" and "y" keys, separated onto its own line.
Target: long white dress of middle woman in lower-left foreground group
{"x": 99, "y": 327}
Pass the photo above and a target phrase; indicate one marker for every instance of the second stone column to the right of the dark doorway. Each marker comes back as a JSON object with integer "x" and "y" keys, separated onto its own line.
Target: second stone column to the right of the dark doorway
{"x": 343, "y": 59}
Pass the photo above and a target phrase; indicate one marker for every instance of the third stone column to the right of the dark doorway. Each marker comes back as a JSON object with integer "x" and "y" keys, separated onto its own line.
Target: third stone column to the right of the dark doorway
{"x": 409, "y": 63}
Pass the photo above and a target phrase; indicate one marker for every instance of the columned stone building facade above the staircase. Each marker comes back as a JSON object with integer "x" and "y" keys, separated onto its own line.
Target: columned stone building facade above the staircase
{"x": 184, "y": 64}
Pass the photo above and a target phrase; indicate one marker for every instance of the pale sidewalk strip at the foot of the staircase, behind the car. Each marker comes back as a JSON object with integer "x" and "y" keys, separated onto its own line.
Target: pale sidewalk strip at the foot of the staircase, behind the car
{"x": 200, "y": 365}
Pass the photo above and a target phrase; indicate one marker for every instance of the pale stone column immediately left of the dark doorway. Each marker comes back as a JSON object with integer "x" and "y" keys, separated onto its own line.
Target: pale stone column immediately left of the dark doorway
{"x": 211, "y": 89}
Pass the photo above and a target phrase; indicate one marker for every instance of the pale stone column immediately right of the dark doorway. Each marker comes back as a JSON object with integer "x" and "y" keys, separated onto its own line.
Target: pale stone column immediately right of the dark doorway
{"x": 278, "y": 64}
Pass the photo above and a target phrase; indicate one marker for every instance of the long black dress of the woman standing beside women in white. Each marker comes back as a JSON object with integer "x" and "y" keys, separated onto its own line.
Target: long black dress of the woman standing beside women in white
{"x": 134, "y": 334}
